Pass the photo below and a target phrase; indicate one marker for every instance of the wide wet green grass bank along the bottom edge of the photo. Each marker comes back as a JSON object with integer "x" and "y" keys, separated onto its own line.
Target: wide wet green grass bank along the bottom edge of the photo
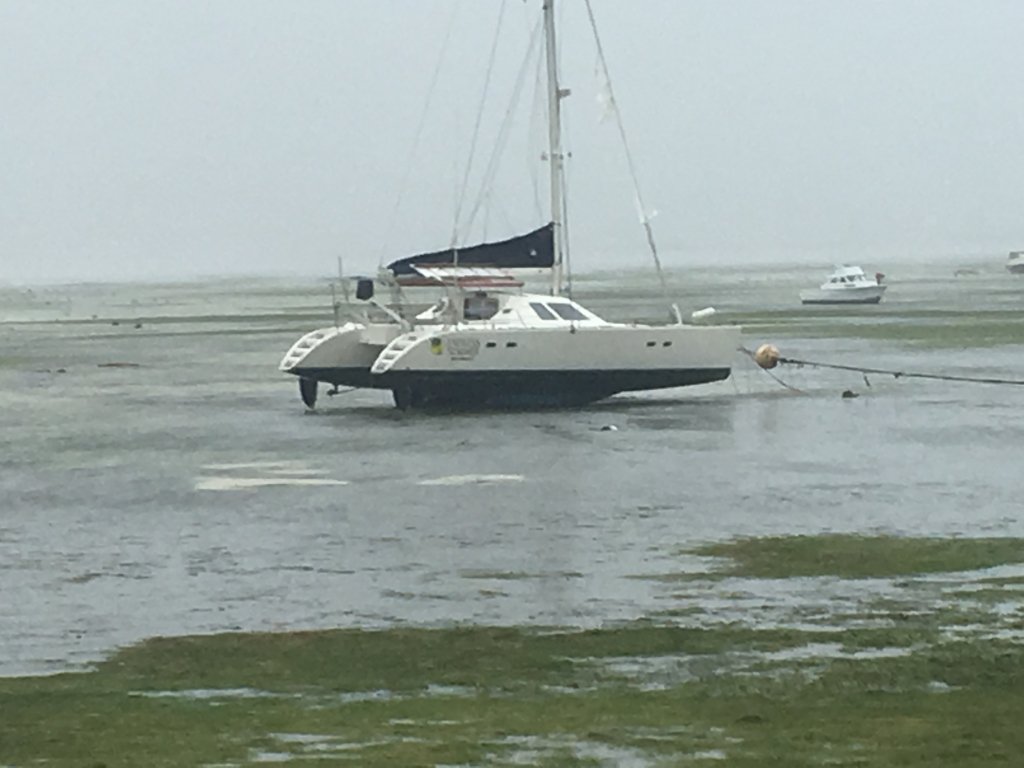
{"x": 497, "y": 697}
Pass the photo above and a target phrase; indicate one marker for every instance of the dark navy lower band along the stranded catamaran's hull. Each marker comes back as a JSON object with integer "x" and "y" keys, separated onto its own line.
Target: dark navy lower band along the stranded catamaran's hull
{"x": 513, "y": 389}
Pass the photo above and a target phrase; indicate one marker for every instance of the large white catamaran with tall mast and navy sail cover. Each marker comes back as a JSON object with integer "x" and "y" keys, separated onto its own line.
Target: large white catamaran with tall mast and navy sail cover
{"x": 486, "y": 343}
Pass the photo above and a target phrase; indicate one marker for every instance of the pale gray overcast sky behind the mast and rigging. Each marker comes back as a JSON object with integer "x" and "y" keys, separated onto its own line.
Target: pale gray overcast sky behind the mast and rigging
{"x": 155, "y": 139}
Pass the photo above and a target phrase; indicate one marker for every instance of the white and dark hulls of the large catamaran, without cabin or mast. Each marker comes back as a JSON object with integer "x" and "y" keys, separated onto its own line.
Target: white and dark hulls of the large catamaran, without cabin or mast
{"x": 494, "y": 368}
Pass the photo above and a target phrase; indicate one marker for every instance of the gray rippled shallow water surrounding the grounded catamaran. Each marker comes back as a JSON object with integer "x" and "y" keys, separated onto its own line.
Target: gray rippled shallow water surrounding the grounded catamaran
{"x": 190, "y": 493}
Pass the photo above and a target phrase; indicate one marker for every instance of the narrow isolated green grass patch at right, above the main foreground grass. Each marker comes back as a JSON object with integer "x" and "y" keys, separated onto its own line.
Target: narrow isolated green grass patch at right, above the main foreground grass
{"x": 856, "y": 557}
